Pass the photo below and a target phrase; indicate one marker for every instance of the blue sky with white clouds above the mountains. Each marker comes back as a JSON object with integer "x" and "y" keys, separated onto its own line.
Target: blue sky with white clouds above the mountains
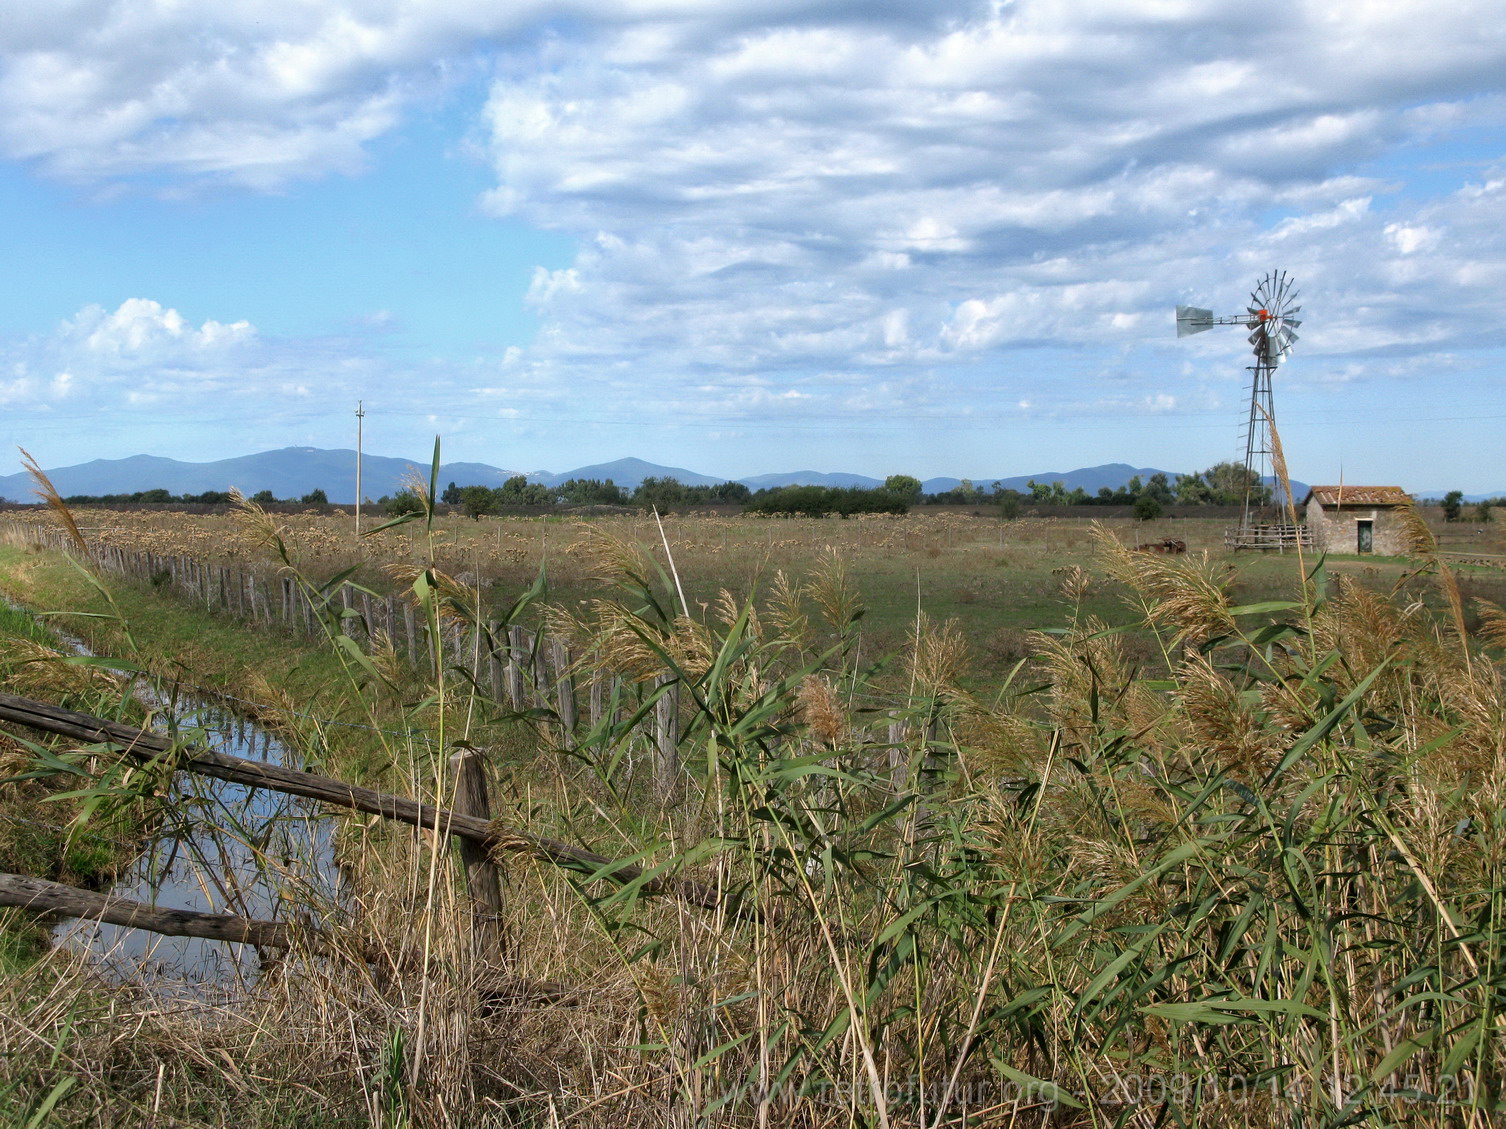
{"x": 922, "y": 237}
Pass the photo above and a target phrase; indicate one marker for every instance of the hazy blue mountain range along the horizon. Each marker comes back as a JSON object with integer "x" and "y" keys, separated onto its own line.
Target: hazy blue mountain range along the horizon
{"x": 294, "y": 472}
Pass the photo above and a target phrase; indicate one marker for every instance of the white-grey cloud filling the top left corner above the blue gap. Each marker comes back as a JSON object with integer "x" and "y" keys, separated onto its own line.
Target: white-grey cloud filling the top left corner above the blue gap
{"x": 279, "y": 91}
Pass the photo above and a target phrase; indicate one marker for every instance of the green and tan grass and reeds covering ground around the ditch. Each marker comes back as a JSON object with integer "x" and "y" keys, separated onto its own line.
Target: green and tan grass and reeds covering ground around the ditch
{"x": 1053, "y": 833}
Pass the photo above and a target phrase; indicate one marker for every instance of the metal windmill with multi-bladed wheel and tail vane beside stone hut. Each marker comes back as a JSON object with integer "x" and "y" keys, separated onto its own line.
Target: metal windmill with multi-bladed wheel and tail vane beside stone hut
{"x": 1272, "y": 320}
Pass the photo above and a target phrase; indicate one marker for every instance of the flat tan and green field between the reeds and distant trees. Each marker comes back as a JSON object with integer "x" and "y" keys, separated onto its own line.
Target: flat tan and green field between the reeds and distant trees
{"x": 996, "y": 579}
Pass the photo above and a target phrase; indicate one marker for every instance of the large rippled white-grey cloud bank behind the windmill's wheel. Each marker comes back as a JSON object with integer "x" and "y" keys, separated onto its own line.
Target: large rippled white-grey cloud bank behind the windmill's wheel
{"x": 781, "y": 199}
